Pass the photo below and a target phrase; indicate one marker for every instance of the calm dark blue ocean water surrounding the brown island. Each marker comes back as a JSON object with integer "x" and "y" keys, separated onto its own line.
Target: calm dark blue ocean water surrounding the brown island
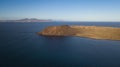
{"x": 20, "y": 46}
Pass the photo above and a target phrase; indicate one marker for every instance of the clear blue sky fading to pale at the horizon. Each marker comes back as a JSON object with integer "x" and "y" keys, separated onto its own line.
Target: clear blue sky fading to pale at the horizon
{"x": 70, "y": 10}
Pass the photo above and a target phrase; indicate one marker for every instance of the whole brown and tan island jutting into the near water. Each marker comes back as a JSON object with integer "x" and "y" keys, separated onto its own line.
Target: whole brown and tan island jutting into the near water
{"x": 96, "y": 32}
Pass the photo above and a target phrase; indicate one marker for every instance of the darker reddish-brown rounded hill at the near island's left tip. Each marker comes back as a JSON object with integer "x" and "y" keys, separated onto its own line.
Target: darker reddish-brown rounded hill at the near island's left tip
{"x": 64, "y": 30}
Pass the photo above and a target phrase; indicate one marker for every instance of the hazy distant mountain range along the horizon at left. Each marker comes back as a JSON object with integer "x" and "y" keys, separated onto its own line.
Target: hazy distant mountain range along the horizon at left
{"x": 28, "y": 20}
